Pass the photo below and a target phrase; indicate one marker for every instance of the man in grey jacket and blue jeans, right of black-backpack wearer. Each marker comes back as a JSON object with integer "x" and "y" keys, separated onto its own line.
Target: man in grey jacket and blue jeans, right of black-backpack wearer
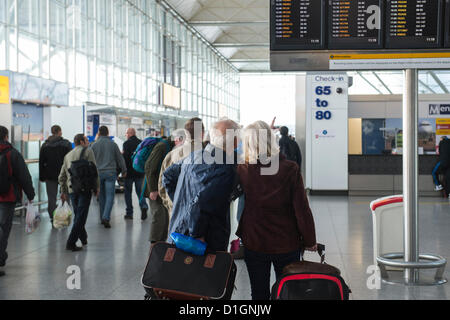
{"x": 109, "y": 161}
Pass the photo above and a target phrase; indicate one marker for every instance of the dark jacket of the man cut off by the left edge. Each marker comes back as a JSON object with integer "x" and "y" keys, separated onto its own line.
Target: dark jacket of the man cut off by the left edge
{"x": 21, "y": 178}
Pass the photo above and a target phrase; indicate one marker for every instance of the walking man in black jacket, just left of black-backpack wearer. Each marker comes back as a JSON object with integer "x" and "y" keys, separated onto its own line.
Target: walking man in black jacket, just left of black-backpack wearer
{"x": 51, "y": 158}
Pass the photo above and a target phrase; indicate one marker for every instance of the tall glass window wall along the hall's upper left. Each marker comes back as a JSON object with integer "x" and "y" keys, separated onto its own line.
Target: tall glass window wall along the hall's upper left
{"x": 116, "y": 52}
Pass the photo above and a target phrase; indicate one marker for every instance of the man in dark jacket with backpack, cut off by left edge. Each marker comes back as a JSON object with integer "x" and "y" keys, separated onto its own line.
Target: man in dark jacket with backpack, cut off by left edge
{"x": 14, "y": 177}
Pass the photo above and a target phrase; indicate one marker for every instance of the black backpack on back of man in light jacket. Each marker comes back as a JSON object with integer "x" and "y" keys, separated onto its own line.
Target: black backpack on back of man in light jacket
{"x": 83, "y": 175}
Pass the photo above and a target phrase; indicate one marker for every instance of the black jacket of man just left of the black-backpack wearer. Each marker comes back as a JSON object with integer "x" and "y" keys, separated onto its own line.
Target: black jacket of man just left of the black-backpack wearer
{"x": 51, "y": 158}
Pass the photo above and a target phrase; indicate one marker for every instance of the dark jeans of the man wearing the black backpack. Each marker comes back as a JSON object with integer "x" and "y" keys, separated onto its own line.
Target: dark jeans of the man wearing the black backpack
{"x": 80, "y": 204}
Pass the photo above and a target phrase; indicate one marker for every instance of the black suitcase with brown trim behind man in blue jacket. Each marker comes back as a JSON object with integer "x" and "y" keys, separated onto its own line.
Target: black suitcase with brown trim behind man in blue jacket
{"x": 172, "y": 274}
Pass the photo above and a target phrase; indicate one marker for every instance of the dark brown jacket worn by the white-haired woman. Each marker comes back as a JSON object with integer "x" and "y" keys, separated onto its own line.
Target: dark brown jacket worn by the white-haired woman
{"x": 276, "y": 218}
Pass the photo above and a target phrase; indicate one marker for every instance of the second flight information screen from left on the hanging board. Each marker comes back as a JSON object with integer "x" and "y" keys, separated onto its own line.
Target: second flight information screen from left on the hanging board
{"x": 355, "y": 24}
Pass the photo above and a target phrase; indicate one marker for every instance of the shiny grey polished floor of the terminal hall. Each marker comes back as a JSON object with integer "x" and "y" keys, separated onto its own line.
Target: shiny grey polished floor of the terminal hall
{"x": 112, "y": 264}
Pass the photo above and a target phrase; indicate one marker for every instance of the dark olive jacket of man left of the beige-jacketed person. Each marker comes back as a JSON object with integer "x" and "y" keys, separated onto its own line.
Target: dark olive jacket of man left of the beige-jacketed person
{"x": 153, "y": 166}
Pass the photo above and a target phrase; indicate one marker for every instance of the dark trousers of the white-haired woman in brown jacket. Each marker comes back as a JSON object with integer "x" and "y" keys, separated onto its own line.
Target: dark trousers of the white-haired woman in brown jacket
{"x": 259, "y": 269}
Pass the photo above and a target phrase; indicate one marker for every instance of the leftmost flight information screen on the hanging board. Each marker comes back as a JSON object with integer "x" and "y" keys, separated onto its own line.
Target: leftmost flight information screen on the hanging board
{"x": 297, "y": 24}
